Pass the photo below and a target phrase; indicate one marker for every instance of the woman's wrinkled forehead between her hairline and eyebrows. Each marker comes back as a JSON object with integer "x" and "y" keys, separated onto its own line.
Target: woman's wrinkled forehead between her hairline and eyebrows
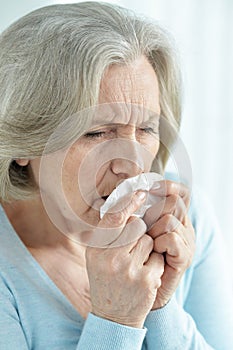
{"x": 135, "y": 83}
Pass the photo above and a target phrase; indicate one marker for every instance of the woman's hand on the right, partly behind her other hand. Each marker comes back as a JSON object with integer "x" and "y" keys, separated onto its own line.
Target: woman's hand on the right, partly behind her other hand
{"x": 173, "y": 236}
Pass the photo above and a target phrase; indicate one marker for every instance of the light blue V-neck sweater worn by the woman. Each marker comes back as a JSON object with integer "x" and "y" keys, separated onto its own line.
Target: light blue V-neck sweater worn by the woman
{"x": 34, "y": 314}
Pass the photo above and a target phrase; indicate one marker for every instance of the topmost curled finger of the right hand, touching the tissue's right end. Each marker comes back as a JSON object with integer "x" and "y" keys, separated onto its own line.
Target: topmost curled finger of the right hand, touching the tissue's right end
{"x": 165, "y": 188}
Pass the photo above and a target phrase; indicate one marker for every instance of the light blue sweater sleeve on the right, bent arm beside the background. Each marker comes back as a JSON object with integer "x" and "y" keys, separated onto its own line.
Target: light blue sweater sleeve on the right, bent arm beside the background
{"x": 203, "y": 318}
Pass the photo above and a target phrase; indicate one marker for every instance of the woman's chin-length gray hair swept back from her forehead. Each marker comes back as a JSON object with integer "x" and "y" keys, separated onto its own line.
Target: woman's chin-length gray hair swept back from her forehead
{"x": 51, "y": 65}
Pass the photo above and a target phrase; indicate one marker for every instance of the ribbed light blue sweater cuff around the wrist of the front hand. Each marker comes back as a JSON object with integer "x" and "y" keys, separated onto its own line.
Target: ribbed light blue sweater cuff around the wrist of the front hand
{"x": 102, "y": 334}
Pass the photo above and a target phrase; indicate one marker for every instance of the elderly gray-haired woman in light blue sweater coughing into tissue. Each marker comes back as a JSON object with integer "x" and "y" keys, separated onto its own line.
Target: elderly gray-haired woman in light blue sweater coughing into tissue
{"x": 90, "y": 97}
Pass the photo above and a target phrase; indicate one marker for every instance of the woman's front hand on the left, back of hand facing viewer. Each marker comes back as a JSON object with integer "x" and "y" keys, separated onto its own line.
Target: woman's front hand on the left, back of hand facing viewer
{"x": 124, "y": 278}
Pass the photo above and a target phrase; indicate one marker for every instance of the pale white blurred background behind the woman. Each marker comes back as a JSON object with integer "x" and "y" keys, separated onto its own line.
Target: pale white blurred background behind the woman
{"x": 203, "y": 31}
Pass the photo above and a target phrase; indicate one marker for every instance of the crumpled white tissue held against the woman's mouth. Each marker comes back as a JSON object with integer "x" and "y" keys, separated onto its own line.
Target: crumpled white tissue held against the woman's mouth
{"x": 145, "y": 181}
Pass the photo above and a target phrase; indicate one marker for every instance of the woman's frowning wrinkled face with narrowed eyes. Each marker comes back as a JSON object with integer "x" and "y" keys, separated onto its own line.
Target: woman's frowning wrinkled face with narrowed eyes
{"x": 122, "y": 142}
